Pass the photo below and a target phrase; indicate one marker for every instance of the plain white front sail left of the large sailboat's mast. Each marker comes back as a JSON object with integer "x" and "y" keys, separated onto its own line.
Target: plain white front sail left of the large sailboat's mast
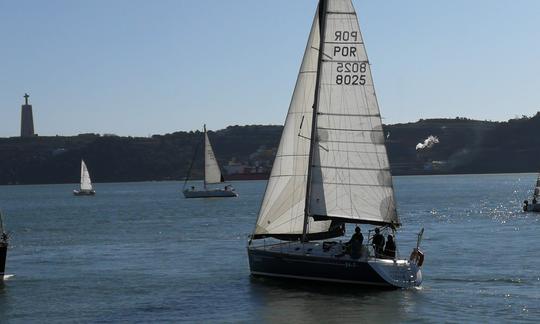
{"x": 282, "y": 209}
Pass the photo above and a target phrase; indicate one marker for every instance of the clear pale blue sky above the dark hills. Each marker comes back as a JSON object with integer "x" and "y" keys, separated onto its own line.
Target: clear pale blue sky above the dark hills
{"x": 137, "y": 67}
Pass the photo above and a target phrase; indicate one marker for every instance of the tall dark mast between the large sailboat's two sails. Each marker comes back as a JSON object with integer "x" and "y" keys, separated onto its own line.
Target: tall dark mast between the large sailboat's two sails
{"x": 322, "y": 32}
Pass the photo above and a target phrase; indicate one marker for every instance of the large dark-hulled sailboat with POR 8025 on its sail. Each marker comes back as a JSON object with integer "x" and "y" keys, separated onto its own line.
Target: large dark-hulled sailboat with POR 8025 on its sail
{"x": 331, "y": 169}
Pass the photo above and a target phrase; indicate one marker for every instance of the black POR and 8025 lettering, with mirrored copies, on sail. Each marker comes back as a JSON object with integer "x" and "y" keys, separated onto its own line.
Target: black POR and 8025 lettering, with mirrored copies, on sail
{"x": 348, "y": 73}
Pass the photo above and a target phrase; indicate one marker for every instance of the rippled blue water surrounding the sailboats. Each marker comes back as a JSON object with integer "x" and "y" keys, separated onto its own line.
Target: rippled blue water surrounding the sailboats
{"x": 139, "y": 252}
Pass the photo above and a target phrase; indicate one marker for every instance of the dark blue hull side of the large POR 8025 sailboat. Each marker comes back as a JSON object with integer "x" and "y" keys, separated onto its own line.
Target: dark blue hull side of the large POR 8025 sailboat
{"x": 267, "y": 263}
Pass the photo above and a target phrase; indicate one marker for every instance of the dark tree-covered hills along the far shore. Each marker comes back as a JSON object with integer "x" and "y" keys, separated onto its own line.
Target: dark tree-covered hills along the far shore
{"x": 465, "y": 146}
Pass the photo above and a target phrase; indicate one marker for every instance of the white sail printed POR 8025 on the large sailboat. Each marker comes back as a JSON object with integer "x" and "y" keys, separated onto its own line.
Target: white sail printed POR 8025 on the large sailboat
{"x": 350, "y": 174}
